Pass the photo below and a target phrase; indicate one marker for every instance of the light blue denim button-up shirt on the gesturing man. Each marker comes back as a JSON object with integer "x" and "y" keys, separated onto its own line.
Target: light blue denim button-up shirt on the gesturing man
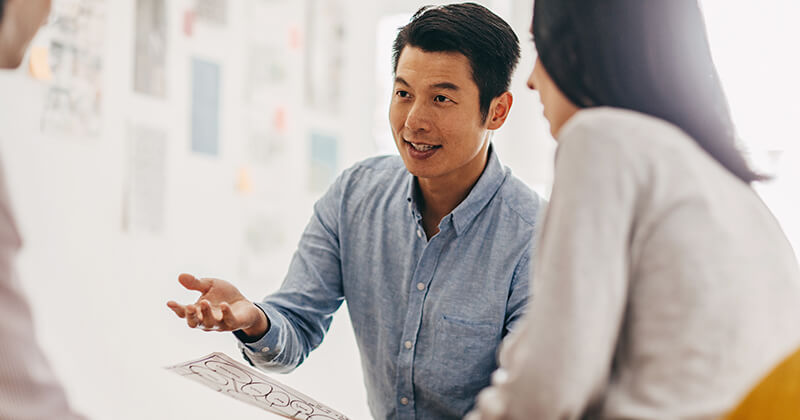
{"x": 428, "y": 315}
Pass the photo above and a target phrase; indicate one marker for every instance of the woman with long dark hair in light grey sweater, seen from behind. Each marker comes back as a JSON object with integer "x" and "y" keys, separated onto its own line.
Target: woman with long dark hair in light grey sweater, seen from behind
{"x": 664, "y": 288}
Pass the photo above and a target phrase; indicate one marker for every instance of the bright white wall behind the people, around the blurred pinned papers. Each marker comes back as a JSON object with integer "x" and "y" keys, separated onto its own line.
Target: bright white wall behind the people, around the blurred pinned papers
{"x": 99, "y": 292}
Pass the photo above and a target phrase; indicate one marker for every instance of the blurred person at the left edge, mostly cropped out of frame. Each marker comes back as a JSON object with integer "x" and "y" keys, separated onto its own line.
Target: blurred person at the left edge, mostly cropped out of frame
{"x": 28, "y": 388}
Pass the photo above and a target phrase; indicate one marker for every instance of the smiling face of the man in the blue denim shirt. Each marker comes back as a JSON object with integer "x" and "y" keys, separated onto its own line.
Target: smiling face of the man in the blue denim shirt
{"x": 435, "y": 114}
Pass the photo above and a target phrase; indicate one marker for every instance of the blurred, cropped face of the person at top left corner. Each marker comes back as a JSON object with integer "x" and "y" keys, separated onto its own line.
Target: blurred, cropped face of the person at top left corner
{"x": 21, "y": 20}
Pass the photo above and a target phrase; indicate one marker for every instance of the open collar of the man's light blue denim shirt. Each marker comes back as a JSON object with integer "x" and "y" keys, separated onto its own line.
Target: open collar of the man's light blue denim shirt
{"x": 482, "y": 192}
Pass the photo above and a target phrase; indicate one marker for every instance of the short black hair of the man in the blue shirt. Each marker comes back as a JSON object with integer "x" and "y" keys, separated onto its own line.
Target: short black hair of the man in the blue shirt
{"x": 488, "y": 42}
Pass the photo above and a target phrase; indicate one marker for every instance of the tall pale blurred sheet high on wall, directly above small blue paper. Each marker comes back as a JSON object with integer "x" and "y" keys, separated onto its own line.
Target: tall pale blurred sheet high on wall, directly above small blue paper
{"x": 325, "y": 33}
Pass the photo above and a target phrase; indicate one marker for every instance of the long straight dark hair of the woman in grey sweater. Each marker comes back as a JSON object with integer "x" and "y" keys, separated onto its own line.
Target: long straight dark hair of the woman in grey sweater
{"x": 650, "y": 56}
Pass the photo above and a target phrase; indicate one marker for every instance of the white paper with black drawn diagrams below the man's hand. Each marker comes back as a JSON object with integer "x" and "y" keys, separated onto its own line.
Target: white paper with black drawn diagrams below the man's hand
{"x": 223, "y": 374}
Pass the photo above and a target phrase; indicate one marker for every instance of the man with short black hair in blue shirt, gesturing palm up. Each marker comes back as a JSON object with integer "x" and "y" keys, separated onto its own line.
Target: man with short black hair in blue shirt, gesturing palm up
{"x": 430, "y": 249}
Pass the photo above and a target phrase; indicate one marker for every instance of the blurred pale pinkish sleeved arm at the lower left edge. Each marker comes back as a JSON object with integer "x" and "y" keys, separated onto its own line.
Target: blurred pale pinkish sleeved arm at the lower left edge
{"x": 28, "y": 388}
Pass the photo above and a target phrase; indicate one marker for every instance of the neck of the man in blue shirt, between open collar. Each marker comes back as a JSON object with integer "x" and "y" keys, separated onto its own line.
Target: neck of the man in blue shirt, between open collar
{"x": 442, "y": 195}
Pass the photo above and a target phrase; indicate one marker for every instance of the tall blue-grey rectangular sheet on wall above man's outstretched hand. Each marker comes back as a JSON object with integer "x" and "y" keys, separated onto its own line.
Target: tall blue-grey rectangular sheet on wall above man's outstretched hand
{"x": 205, "y": 107}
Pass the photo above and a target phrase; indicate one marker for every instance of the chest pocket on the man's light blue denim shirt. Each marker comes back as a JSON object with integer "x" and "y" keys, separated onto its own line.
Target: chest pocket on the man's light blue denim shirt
{"x": 465, "y": 351}
